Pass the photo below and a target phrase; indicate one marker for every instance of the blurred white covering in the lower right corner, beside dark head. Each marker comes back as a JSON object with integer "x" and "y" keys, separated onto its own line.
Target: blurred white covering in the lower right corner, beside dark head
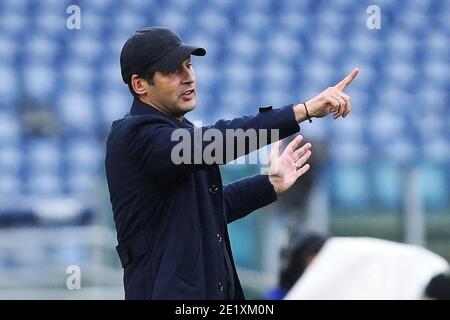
{"x": 368, "y": 268}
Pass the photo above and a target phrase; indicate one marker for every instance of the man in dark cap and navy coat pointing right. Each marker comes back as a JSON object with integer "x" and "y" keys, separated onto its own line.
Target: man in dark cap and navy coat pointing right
{"x": 171, "y": 218}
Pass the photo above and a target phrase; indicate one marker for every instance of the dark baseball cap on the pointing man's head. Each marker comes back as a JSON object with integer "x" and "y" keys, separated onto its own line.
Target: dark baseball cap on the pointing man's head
{"x": 158, "y": 47}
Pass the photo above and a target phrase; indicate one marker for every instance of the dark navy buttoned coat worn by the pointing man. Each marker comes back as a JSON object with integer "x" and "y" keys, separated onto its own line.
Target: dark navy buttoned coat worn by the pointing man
{"x": 171, "y": 220}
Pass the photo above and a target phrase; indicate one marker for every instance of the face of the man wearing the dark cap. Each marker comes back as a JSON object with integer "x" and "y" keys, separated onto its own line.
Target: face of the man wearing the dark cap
{"x": 174, "y": 92}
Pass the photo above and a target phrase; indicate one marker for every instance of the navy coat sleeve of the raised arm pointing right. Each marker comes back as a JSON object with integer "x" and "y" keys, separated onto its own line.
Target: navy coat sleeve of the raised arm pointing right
{"x": 154, "y": 145}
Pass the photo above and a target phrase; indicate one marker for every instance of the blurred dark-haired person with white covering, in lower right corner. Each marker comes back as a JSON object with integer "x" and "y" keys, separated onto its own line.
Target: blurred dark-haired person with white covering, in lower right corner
{"x": 315, "y": 266}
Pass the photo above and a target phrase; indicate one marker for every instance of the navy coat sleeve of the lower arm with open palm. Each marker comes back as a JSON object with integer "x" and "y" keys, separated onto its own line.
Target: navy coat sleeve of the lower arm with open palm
{"x": 243, "y": 196}
